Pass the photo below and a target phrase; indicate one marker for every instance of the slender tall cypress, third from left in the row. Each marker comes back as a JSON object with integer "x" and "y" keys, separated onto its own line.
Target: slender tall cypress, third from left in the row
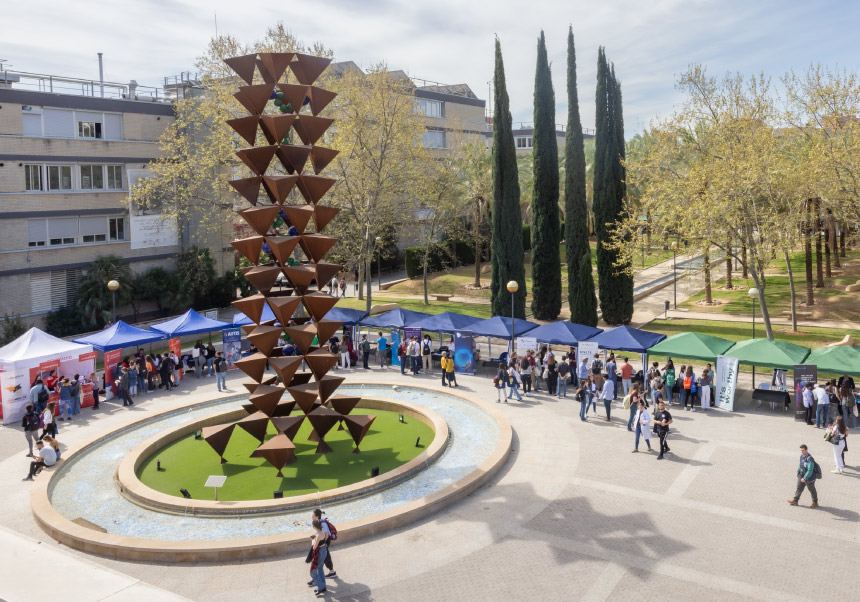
{"x": 576, "y": 204}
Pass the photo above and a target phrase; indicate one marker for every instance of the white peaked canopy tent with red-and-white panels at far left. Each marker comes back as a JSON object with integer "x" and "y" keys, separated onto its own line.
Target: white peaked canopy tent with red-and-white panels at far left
{"x": 28, "y": 355}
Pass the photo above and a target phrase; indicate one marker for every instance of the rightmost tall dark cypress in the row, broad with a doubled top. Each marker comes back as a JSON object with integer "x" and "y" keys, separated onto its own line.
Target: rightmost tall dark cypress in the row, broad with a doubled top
{"x": 616, "y": 285}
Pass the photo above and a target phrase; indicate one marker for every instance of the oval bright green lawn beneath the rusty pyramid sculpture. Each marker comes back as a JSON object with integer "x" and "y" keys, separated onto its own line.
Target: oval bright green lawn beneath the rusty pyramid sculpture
{"x": 188, "y": 461}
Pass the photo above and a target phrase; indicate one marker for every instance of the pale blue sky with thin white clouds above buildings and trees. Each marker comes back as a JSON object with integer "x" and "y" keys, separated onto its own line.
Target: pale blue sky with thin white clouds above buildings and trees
{"x": 651, "y": 42}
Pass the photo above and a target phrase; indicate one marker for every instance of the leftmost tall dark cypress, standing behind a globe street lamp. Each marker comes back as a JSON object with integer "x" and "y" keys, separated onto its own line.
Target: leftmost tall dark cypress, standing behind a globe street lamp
{"x": 507, "y": 237}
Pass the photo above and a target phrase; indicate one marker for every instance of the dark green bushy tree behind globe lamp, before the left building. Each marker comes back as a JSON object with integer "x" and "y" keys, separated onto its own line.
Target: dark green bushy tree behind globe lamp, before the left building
{"x": 94, "y": 299}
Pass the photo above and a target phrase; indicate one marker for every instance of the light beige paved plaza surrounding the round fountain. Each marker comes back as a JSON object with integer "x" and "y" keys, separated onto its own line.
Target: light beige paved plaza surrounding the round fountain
{"x": 574, "y": 515}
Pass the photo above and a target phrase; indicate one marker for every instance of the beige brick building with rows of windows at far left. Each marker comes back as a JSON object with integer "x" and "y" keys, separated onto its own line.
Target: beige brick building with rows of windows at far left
{"x": 69, "y": 151}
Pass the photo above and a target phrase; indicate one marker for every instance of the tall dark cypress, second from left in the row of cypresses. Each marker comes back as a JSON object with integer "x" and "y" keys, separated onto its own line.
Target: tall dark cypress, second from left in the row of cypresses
{"x": 546, "y": 225}
